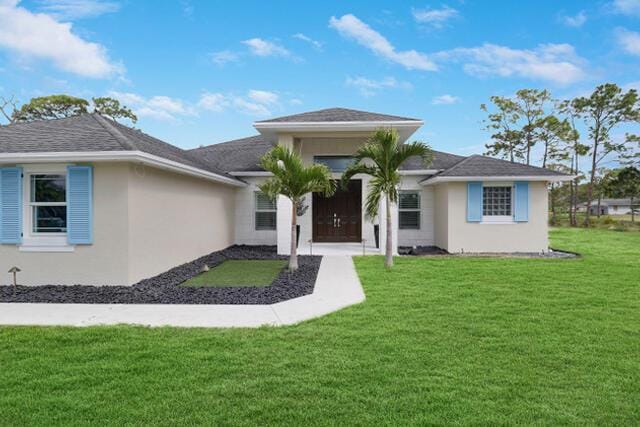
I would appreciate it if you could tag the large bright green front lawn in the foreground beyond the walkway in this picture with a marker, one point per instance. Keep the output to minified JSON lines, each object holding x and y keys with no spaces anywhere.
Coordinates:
{"x":438,"y":341}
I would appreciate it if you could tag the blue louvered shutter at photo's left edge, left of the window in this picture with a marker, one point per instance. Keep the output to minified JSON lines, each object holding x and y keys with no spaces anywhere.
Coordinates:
{"x":11,"y":206}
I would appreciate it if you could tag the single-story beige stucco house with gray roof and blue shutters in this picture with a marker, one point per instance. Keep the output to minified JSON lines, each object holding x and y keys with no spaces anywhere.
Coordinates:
{"x":88,"y":200}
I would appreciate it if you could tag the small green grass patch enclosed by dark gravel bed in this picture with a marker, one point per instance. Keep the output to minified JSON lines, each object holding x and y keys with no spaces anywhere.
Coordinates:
{"x":239,"y":272}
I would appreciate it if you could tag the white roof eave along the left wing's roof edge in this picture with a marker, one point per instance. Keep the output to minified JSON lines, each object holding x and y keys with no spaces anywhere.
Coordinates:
{"x":125,"y":156}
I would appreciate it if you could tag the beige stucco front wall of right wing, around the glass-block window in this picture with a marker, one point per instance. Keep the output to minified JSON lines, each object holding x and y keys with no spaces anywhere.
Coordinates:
{"x":530,"y":236}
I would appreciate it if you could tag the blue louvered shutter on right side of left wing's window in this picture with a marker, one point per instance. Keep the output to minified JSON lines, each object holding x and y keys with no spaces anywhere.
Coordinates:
{"x":79,"y":205}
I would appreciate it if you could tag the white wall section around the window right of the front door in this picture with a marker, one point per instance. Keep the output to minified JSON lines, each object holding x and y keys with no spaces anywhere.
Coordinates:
{"x":425,"y":235}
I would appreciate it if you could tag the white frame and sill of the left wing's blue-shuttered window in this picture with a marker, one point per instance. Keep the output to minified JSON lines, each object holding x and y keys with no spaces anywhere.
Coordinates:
{"x":40,"y":242}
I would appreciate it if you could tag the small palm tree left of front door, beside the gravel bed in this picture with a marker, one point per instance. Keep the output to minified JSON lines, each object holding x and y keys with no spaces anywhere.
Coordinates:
{"x":293,"y":180}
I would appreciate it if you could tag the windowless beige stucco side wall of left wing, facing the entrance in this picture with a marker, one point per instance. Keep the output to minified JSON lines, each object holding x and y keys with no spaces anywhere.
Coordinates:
{"x":174,"y":219}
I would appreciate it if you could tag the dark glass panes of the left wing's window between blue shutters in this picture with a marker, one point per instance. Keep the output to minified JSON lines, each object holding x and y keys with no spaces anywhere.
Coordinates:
{"x":48,"y":204}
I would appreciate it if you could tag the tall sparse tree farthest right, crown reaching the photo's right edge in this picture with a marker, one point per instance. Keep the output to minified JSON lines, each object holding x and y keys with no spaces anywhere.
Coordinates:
{"x":607,"y":107}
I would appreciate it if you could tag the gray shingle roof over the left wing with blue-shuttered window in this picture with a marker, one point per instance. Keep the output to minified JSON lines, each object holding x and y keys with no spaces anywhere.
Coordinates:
{"x":90,"y":132}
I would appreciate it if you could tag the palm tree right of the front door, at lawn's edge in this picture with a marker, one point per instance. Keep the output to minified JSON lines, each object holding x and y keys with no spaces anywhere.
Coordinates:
{"x":381,"y":158}
